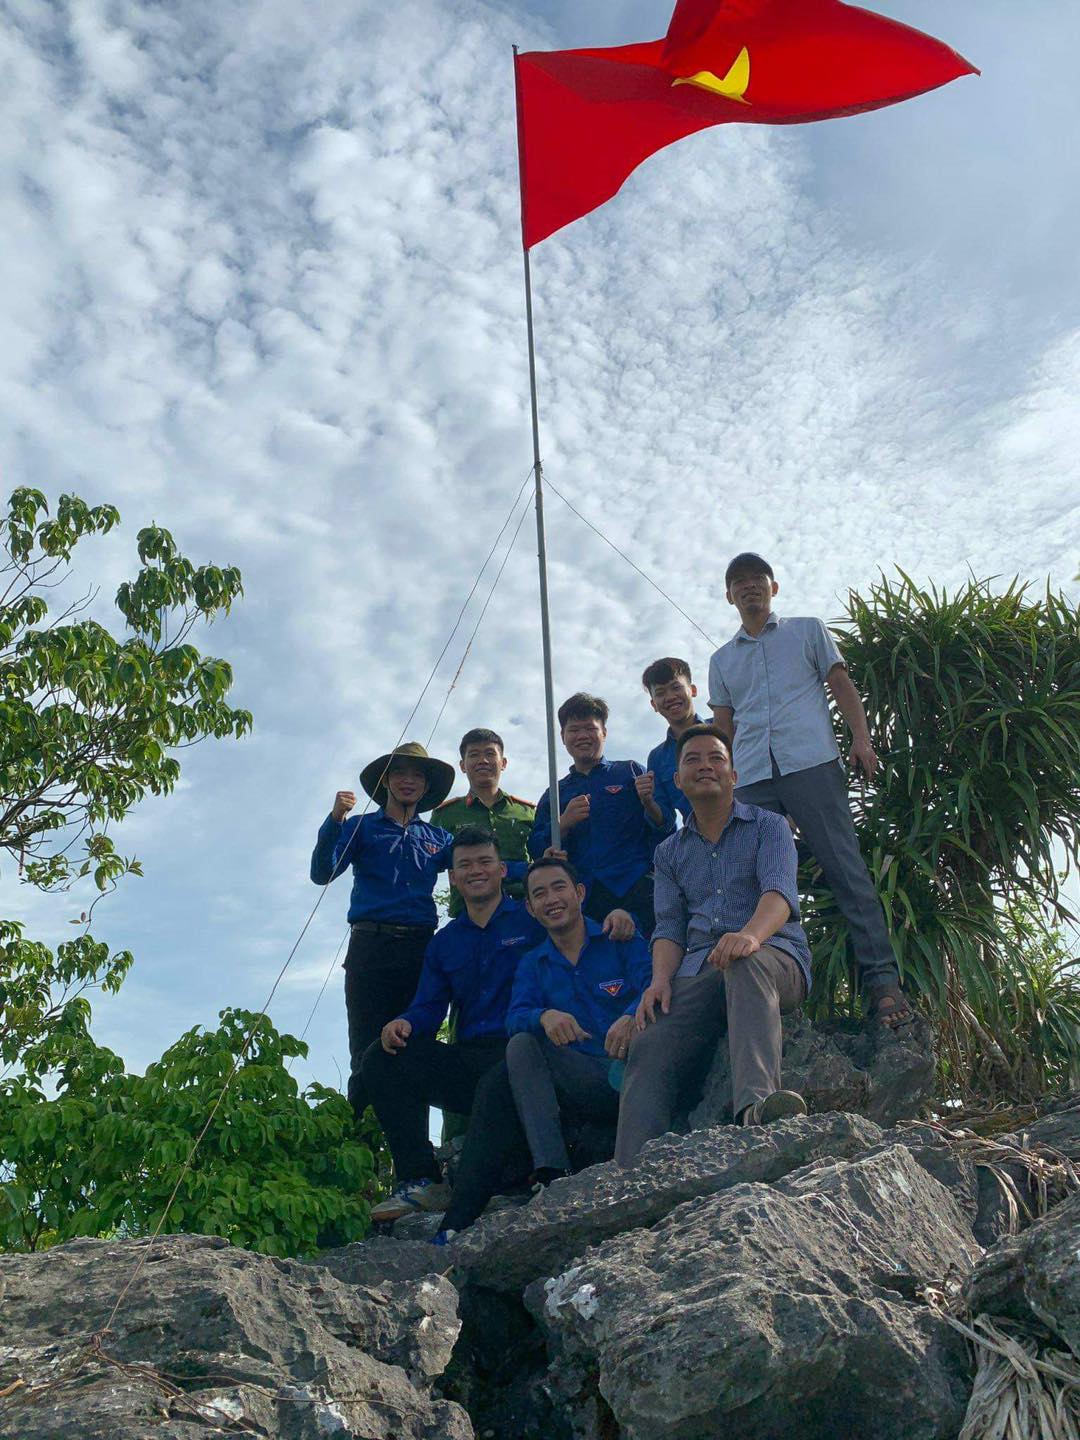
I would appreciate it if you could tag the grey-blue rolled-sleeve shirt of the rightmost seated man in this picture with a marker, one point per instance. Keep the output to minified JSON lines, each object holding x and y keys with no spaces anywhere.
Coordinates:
{"x":705,"y":891}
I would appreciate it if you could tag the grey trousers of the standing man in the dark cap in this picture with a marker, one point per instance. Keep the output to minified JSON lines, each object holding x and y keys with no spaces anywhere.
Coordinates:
{"x":817,"y":800}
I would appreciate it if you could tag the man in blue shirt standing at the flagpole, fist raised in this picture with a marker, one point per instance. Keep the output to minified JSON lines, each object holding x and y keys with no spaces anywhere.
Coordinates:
{"x":610,"y":820}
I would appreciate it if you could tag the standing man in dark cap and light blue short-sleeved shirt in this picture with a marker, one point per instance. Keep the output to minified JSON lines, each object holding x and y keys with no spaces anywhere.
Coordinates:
{"x":768,"y":692}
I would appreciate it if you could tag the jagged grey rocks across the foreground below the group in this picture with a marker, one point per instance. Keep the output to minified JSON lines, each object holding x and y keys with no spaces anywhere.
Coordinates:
{"x":780,"y":1282}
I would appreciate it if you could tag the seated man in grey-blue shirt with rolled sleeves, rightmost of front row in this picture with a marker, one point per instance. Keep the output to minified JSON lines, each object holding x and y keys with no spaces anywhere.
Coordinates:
{"x":728,"y":954}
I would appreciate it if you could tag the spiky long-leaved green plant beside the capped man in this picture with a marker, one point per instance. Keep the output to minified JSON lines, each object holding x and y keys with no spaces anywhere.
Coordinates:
{"x":974,"y":703}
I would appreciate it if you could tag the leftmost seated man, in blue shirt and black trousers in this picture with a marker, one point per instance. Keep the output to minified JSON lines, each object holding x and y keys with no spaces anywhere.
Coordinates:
{"x":472,"y":964}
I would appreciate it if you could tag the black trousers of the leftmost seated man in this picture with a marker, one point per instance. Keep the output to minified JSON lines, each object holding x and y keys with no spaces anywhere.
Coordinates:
{"x":427,"y":1072}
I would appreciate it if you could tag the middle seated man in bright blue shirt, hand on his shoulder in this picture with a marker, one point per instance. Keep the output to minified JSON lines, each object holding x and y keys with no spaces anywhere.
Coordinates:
{"x":571,"y":1017}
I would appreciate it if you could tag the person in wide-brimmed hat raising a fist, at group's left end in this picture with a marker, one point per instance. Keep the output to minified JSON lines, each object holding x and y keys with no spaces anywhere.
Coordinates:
{"x":397,"y":859}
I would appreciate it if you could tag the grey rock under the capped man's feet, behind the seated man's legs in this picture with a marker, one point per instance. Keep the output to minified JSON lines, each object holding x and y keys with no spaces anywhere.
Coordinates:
{"x":886,"y":1076}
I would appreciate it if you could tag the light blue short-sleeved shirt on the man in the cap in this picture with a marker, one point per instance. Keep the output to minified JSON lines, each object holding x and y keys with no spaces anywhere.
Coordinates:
{"x":775,"y":685}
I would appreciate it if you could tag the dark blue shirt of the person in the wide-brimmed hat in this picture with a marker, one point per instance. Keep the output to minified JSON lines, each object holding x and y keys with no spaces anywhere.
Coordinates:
{"x":395,"y":868}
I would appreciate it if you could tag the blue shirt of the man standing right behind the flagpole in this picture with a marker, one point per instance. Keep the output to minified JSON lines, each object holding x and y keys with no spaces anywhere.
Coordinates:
{"x":616,"y":843}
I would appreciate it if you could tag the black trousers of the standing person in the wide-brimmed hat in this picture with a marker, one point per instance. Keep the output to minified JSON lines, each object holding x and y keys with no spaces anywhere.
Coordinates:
{"x":381,"y":981}
